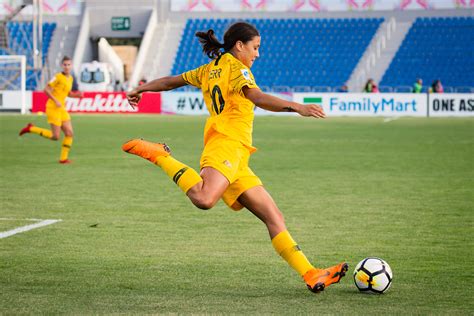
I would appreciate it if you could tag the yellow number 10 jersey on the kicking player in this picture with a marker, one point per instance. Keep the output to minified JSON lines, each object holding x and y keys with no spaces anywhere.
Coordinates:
{"x":221,"y":82}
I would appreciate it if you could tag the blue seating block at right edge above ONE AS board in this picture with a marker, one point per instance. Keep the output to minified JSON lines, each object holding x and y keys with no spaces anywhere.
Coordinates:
{"x":435,"y":48}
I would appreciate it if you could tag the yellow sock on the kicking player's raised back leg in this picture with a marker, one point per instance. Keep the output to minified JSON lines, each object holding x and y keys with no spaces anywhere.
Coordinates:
{"x":181,"y":174}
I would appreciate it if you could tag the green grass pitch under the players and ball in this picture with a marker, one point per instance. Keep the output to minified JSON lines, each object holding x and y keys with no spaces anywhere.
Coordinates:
{"x":130,"y":242}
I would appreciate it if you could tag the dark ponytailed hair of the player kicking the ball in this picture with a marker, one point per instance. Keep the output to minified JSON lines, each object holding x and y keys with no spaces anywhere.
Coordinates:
{"x":239,"y":31}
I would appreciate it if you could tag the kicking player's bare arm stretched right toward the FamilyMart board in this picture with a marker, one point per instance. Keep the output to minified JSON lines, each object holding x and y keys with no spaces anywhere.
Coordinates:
{"x":274,"y":104}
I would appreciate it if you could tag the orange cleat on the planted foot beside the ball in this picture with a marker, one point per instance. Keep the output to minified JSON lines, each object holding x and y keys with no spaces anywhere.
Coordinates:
{"x":319,"y":279}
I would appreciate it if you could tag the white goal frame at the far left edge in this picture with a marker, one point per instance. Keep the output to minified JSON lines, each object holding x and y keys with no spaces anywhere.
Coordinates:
{"x":13,"y":79}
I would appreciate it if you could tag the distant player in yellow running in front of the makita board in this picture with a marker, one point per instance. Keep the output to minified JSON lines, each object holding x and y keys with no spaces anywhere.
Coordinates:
{"x":57,"y":90}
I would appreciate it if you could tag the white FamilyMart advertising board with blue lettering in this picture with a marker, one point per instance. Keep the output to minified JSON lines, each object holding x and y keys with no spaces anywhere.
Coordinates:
{"x":367,"y":104}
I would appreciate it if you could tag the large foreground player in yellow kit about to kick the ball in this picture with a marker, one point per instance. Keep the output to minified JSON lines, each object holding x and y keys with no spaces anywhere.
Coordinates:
{"x":230,"y":92}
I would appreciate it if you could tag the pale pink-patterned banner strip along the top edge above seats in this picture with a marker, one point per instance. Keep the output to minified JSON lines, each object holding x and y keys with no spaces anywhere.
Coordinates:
{"x":314,"y":5}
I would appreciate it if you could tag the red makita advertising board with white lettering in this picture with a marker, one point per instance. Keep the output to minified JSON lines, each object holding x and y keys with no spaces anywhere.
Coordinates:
{"x":102,"y":102}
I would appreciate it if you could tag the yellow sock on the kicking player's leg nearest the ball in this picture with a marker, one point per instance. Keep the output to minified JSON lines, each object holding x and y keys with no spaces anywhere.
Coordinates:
{"x":286,"y":247}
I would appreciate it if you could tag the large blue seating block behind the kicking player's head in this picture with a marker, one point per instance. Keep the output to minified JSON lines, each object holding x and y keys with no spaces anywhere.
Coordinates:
{"x":296,"y":54}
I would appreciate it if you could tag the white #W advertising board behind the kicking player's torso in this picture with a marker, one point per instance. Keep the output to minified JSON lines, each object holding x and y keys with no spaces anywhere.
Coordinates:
{"x":192,"y":103}
